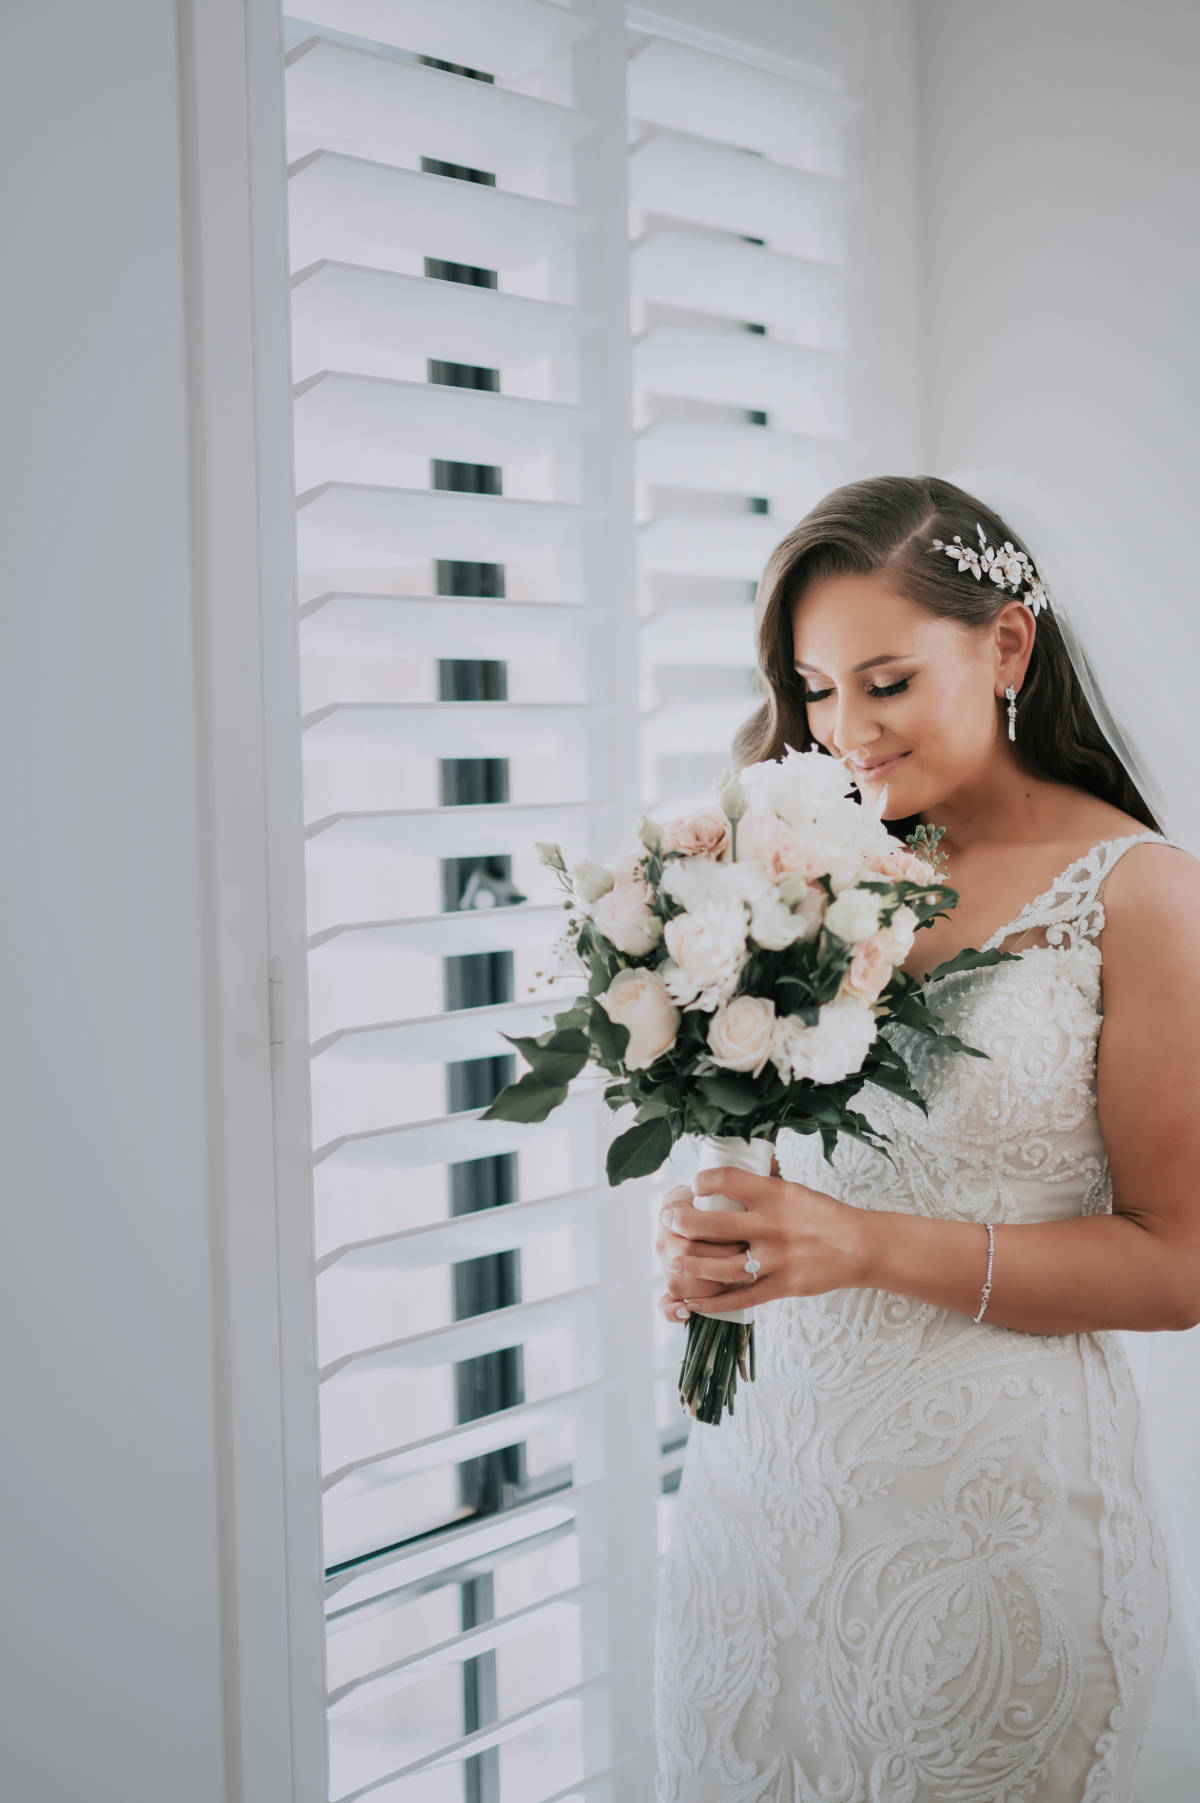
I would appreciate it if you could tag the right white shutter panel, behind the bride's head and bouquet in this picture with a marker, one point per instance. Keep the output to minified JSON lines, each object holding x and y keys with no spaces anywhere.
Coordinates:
{"x":741,"y":288}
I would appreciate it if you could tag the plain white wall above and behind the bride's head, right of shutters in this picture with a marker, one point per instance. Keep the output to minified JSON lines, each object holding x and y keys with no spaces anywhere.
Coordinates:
{"x":1060,"y":143}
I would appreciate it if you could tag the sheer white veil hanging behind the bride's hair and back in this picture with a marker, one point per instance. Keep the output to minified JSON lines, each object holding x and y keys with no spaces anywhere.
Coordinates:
{"x":1091,"y":592}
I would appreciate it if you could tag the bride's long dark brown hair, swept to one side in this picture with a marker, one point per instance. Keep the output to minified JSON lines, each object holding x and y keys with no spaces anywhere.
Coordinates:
{"x":887,"y":526}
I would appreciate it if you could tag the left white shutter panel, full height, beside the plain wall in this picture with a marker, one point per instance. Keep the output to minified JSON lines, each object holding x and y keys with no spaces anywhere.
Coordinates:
{"x":466,"y":553}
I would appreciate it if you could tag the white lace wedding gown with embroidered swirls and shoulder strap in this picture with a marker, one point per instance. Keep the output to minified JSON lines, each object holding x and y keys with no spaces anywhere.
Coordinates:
{"x":920,"y":1562}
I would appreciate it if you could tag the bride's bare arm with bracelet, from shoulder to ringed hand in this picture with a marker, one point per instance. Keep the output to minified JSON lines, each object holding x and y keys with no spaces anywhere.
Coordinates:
{"x":1138,"y":1268}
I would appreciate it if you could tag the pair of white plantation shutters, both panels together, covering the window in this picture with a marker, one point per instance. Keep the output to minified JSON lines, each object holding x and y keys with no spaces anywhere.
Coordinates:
{"x":522,"y":619}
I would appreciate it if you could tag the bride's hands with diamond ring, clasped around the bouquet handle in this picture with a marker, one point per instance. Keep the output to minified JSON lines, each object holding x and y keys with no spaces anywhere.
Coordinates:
{"x":806,"y":1243}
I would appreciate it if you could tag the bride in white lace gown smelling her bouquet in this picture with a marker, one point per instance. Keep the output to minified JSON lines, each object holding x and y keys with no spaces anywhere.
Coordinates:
{"x":922,"y":1560}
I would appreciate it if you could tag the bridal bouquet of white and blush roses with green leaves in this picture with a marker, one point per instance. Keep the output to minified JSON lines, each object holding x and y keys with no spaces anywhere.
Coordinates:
{"x":741,"y":966}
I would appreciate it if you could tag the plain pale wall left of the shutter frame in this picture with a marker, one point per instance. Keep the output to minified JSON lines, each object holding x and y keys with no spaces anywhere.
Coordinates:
{"x":113,"y":1672}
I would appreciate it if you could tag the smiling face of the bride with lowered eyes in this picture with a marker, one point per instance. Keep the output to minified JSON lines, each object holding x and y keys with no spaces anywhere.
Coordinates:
{"x":907,"y":699}
